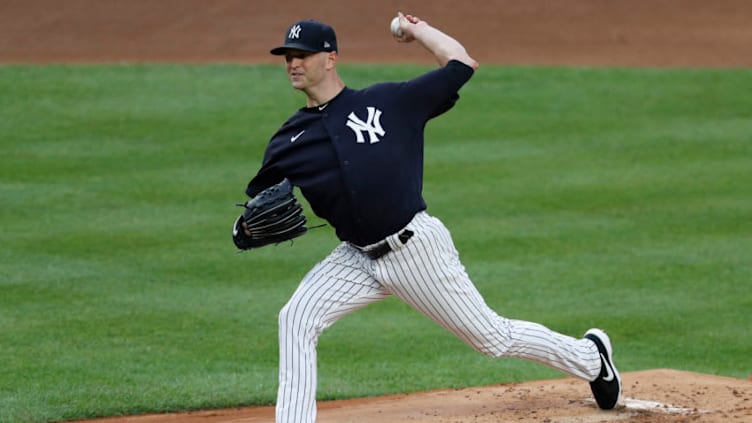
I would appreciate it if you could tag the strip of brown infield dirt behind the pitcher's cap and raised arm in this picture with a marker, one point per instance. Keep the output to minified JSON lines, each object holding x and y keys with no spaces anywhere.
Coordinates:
{"x":683,"y":33}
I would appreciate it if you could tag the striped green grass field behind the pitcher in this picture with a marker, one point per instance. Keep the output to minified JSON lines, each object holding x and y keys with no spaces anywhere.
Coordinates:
{"x":577,"y":198}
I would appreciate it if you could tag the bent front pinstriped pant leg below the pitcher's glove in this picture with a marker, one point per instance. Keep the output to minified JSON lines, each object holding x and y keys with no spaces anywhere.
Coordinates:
{"x":335,"y":287}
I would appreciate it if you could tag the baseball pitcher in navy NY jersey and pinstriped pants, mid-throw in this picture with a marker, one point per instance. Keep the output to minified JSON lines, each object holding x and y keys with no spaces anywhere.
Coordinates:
{"x":357,"y":157}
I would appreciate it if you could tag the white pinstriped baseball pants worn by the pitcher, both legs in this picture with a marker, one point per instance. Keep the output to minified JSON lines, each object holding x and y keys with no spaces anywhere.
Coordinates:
{"x":425,"y":273}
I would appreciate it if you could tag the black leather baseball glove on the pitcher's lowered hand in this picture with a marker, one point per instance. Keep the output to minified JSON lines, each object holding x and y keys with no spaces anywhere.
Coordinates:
{"x":273,"y":216}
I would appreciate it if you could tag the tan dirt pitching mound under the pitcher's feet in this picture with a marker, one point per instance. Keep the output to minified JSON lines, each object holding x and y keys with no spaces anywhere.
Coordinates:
{"x":649,"y":396}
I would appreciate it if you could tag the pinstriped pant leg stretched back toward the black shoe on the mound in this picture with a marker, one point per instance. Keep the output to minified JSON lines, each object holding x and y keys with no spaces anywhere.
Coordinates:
{"x":427,"y":274}
